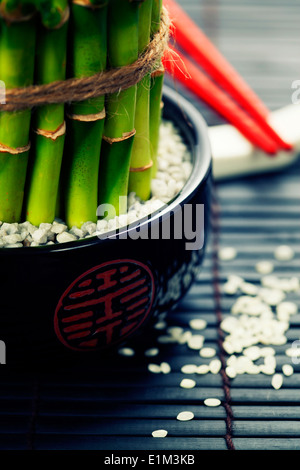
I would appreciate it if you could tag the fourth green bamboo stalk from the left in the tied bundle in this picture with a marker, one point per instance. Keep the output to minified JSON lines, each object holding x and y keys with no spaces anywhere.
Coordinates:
{"x":119,"y":125}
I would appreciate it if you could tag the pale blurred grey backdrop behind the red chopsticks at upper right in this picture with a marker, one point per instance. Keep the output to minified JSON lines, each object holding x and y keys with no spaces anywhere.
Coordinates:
{"x":261,"y":40}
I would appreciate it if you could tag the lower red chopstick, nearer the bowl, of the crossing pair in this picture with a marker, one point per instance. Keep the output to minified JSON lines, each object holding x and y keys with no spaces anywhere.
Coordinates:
{"x":178,"y":65}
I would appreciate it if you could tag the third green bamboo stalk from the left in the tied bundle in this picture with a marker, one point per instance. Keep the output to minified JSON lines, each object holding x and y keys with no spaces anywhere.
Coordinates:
{"x":88,"y":55}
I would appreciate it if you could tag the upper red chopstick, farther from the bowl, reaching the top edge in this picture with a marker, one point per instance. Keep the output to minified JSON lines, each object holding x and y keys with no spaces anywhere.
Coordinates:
{"x":192,"y":40}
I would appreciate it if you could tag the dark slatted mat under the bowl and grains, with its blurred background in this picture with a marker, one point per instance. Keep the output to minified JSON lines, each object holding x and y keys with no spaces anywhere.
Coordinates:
{"x":116,"y":405}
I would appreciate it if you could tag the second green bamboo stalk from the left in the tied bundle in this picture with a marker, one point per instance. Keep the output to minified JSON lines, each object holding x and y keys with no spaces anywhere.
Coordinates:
{"x":46,"y":159}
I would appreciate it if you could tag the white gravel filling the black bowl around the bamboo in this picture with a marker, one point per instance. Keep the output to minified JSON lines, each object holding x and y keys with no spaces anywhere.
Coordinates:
{"x":174,"y":169}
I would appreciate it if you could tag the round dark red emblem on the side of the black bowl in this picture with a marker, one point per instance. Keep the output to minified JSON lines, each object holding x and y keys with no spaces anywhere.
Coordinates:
{"x":104,"y":305}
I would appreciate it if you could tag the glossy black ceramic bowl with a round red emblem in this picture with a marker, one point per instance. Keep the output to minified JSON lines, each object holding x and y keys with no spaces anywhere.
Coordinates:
{"x":63,"y":301}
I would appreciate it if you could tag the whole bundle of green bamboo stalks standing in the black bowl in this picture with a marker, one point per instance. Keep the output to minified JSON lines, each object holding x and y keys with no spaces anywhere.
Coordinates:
{"x":64,"y":160}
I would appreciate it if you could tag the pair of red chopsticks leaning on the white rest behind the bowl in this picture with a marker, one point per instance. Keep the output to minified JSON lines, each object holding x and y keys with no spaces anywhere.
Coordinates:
{"x":247,"y":113}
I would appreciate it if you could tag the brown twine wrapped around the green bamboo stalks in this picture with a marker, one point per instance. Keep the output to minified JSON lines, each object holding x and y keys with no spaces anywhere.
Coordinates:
{"x":108,"y":82}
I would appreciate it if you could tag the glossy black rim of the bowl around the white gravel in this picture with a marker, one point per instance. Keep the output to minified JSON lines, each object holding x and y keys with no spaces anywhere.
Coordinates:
{"x":202,"y":163}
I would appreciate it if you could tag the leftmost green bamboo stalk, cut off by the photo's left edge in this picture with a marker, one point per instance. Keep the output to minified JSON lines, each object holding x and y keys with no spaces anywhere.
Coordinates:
{"x":17,"y":53}
